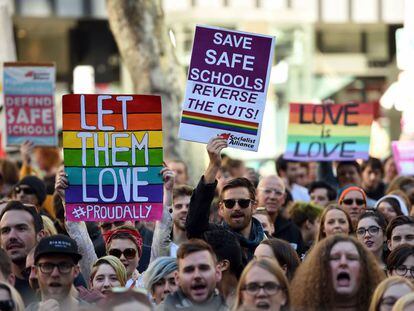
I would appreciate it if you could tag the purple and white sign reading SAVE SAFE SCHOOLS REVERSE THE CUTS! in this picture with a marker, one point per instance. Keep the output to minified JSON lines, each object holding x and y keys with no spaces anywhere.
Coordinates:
{"x":226,"y":87}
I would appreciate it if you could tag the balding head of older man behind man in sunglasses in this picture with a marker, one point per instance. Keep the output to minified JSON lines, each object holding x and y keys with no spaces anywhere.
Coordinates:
{"x":271,"y":194}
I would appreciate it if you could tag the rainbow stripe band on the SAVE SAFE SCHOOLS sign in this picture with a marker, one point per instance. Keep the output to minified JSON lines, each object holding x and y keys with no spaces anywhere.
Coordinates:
{"x":222,"y":123}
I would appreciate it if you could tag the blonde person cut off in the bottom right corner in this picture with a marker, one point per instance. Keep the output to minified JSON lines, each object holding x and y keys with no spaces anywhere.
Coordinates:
{"x":388,"y":292}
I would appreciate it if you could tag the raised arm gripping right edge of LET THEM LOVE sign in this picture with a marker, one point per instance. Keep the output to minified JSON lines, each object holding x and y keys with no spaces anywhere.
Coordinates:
{"x":161,"y":240}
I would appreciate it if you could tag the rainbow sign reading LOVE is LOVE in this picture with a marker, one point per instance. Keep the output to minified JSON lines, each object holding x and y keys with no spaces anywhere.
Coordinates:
{"x":329,"y":132}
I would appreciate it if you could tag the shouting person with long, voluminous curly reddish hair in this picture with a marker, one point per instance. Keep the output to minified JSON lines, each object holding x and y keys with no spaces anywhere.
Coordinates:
{"x":338,"y":273}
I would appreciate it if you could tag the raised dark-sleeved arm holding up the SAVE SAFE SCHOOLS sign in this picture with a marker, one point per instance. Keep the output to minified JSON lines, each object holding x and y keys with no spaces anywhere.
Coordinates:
{"x":198,"y":214}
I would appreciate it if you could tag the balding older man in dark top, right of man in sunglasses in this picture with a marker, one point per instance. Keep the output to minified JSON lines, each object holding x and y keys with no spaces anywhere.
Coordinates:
{"x":271,"y":194}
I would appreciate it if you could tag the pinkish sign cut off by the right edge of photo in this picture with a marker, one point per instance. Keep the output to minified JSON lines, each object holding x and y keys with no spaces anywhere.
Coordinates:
{"x":403,"y":152}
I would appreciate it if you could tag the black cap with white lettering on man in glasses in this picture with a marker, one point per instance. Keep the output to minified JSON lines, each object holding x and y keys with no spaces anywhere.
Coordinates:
{"x":57,"y":244}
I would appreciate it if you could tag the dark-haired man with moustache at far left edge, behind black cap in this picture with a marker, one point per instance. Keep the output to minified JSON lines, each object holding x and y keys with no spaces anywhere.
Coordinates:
{"x":21,"y":227}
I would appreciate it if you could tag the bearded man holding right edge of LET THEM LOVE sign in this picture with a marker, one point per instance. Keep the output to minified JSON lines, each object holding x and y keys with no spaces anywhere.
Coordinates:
{"x":170,"y":231}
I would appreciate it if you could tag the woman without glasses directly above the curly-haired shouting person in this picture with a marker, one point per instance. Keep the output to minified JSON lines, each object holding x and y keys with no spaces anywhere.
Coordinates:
{"x":334,"y":220}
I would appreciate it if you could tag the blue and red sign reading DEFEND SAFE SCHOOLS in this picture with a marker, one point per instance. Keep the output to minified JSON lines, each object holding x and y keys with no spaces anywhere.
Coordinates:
{"x":29,"y":103}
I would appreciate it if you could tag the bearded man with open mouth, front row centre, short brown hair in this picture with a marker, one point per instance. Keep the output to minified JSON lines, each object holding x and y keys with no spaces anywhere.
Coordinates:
{"x":197,"y":278}
